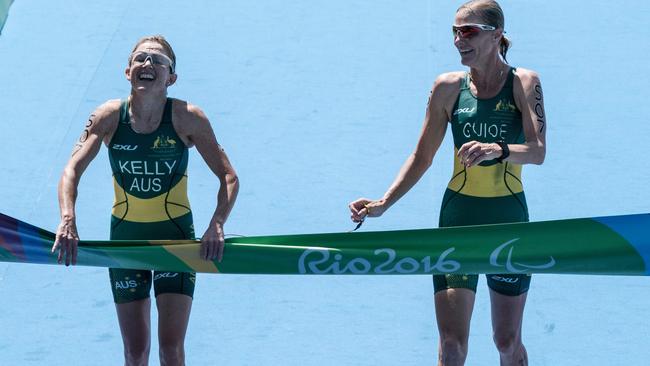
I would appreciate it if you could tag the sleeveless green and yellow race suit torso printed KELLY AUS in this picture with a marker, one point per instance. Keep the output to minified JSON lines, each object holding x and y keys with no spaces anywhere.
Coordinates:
{"x":150,"y":181}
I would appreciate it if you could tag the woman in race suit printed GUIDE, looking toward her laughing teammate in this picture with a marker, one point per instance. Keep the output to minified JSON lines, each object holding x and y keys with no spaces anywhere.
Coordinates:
{"x":496,"y":114}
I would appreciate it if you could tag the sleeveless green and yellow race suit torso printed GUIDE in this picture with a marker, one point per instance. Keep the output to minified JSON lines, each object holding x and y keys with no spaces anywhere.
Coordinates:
{"x":489,"y":192}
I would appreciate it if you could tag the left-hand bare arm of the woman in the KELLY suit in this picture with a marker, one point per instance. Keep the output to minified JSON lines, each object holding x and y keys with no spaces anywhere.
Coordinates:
{"x":83,"y":153}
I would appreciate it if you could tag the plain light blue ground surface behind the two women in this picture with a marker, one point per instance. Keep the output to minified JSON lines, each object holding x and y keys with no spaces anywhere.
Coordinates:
{"x":318,"y":103}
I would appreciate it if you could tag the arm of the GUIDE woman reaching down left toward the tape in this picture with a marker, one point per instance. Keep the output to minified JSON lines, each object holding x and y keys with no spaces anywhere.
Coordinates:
{"x":433,"y":132}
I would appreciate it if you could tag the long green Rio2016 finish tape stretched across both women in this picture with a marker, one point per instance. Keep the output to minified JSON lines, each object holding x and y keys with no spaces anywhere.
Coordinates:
{"x":612,"y":245}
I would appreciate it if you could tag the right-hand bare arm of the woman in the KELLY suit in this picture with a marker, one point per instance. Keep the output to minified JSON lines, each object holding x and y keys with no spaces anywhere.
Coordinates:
{"x":201,"y":135}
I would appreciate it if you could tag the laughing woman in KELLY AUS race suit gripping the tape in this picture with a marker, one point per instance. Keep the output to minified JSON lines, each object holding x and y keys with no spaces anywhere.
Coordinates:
{"x":148,"y":136}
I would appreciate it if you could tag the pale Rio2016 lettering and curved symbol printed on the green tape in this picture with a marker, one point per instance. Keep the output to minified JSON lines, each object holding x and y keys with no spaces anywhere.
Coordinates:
{"x":386,"y":261}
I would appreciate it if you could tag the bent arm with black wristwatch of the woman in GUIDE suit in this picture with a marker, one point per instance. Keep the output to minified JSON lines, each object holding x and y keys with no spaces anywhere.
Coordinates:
{"x":529,"y":99}
